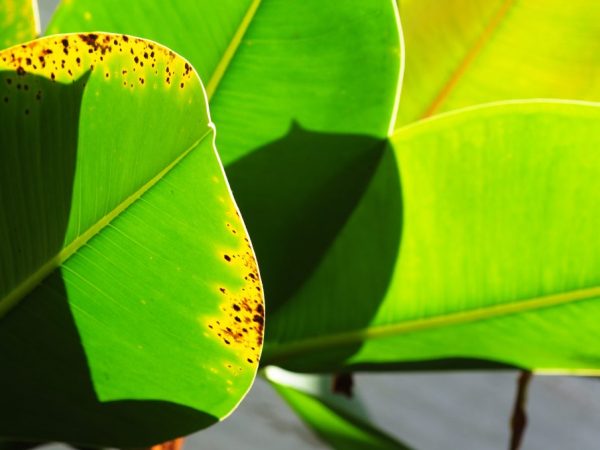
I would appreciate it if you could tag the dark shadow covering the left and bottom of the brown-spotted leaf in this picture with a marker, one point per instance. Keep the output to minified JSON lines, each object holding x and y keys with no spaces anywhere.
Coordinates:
{"x":47,"y":389}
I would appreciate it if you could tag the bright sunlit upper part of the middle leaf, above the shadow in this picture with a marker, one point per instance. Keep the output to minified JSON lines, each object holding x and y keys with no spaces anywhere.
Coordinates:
{"x":270,"y":64}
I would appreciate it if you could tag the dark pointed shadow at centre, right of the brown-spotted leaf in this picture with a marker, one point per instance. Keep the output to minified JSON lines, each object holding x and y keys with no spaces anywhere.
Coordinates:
{"x":325,"y":215}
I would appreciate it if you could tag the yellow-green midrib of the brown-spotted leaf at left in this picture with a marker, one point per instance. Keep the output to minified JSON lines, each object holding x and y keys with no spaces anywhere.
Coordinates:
{"x":26,"y":286}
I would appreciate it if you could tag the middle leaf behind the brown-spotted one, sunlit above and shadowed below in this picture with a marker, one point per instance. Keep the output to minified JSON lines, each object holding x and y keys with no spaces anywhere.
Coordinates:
{"x":302,"y":93}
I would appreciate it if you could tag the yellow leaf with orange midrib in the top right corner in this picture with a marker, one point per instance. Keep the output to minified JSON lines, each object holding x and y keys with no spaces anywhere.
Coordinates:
{"x":462,"y":52}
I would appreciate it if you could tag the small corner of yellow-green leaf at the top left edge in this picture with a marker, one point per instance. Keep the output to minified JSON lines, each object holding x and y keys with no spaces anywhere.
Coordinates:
{"x":19,"y":22}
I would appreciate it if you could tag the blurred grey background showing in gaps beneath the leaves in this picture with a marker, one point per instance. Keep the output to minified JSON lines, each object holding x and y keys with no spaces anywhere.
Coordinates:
{"x":428,"y":411}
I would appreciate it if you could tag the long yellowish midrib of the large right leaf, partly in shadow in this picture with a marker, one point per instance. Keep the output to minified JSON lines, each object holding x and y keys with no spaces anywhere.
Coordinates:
{"x":381,"y":331}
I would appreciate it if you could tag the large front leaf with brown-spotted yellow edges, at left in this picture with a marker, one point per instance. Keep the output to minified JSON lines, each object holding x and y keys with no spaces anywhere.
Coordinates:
{"x":133,"y":308}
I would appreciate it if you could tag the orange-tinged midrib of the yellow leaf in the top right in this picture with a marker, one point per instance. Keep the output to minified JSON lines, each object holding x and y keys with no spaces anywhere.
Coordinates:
{"x":470,"y":56}
